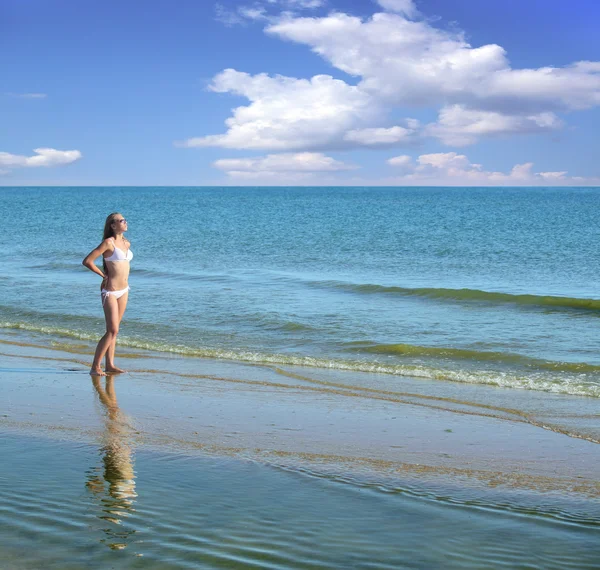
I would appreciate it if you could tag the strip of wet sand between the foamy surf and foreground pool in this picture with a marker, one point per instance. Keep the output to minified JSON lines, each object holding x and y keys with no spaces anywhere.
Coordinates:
{"x":286,"y":416}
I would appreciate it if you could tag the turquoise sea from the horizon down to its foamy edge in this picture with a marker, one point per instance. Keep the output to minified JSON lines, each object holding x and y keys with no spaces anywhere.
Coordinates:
{"x":495,"y":286}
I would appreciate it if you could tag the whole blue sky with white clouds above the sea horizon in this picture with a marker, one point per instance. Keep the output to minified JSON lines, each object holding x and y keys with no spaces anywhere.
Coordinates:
{"x":299,"y":92}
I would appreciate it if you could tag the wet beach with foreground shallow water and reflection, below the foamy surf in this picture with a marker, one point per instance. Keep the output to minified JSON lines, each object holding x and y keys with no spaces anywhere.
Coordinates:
{"x":207,"y":463}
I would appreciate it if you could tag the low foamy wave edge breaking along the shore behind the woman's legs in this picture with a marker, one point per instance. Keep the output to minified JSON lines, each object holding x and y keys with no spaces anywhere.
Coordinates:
{"x":512,"y":370}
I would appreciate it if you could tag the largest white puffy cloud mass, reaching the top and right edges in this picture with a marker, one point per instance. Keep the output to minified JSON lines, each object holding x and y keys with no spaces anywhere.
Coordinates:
{"x":397,"y":60}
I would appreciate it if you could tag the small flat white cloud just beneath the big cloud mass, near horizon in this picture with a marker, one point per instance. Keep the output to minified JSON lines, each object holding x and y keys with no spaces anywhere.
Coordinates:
{"x":284,"y":162}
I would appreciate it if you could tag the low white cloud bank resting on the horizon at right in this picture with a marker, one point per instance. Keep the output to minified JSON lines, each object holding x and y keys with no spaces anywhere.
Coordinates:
{"x":453,"y":169}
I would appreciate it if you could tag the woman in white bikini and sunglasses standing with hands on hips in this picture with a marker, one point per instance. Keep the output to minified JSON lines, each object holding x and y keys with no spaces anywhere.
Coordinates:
{"x":114,"y":290}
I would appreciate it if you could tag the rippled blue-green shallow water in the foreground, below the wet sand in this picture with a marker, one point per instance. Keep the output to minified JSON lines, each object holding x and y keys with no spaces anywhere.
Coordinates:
{"x":66,"y":505}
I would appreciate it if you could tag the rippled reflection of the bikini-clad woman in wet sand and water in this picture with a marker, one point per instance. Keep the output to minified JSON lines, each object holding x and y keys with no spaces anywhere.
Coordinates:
{"x":114,"y":483}
